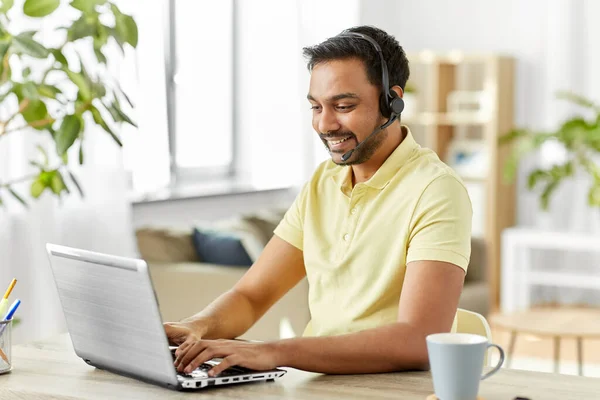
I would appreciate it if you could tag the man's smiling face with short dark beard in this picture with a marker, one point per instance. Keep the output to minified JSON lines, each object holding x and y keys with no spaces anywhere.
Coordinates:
{"x":345,"y":109}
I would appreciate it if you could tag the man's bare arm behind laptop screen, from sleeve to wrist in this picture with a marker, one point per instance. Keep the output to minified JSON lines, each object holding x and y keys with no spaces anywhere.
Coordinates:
{"x":278,"y":269}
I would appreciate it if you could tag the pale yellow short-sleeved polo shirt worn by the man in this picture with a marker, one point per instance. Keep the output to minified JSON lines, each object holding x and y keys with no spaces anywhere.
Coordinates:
{"x":357,"y":241}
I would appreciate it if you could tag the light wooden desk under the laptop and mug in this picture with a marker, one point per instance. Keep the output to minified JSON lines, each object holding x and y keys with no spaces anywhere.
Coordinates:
{"x":51,"y":370}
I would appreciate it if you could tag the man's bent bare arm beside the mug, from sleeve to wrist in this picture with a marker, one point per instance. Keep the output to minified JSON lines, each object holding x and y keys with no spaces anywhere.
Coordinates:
{"x":428,"y":305}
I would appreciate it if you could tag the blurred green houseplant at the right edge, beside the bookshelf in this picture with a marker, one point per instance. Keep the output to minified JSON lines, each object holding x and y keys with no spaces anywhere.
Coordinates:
{"x":579,"y":135}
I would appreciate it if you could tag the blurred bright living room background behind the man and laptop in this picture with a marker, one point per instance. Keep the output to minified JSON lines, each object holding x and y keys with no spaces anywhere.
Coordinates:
{"x":188,"y":133}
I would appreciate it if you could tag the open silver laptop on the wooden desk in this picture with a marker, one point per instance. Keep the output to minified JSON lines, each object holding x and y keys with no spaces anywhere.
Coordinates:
{"x":113,"y":318}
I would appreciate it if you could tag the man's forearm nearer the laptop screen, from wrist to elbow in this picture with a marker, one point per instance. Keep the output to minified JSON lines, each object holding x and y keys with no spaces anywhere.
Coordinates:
{"x":227,"y":317}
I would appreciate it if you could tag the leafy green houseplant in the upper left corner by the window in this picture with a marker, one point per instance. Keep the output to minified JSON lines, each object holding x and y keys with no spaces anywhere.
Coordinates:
{"x":50,"y":89}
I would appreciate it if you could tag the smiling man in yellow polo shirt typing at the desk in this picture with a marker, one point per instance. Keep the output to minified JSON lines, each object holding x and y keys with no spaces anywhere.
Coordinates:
{"x":382,"y":233}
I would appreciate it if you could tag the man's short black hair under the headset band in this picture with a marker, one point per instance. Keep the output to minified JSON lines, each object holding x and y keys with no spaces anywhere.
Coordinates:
{"x":339,"y":48}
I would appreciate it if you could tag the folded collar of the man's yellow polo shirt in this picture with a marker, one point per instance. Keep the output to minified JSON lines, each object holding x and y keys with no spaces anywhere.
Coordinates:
{"x":387,"y":170}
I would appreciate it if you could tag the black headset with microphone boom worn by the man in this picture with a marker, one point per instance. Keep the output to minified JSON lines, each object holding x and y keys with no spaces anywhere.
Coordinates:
{"x":390,"y":104}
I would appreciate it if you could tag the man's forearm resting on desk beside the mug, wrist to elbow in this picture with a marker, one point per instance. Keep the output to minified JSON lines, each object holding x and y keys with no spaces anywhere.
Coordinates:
{"x":389,"y":348}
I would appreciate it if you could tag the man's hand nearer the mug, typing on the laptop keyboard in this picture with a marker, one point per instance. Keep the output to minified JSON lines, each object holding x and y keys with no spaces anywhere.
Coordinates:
{"x":258,"y":356}
